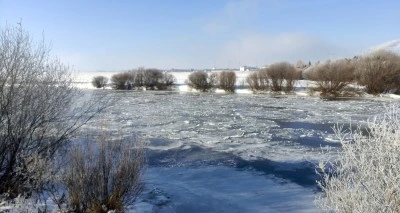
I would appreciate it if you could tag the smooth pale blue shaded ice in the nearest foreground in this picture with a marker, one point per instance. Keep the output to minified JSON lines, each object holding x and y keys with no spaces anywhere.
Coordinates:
{"x":220,"y":189}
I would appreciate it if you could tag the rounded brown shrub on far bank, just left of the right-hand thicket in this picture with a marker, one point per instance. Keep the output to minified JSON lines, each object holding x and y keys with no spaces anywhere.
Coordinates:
{"x":283,"y":75}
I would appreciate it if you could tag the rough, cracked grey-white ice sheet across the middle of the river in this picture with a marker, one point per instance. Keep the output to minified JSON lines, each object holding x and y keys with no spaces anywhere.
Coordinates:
{"x":282,"y":128}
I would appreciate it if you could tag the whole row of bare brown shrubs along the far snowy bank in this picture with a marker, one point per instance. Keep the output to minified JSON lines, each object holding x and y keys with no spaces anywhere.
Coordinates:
{"x":377,"y":72}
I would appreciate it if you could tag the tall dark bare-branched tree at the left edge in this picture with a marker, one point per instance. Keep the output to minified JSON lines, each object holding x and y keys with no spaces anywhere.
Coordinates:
{"x":38,"y":111}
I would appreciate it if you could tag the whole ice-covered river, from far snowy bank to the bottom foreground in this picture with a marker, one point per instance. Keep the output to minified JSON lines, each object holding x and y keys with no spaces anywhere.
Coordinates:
{"x":231,"y":153}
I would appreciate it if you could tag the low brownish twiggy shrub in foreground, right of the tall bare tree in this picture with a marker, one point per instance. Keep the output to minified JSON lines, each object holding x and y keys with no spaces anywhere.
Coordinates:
{"x":104,"y":176}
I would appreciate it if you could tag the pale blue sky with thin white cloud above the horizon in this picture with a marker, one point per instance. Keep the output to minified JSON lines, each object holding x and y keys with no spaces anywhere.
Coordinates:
{"x":105,"y":35}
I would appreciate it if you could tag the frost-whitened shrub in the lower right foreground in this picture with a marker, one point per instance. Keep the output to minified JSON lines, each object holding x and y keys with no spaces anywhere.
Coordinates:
{"x":365,"y":175}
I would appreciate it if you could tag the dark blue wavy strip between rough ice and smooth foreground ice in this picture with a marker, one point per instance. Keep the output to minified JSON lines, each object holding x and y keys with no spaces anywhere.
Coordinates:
{"x":299,"y":172}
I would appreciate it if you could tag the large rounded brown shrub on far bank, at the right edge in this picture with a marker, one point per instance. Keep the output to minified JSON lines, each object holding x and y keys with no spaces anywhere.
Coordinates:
{"x":379,"y":72}
